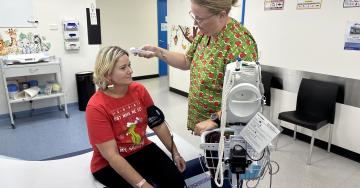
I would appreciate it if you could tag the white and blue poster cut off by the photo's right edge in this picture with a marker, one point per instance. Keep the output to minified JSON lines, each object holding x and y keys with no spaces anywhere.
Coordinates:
{"x":352,"y":36}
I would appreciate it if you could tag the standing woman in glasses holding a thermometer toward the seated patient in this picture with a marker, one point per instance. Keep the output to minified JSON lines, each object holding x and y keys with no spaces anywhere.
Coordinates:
{"x":221,"y":40}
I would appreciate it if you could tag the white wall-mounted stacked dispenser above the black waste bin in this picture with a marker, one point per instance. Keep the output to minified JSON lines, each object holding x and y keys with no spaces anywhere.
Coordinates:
{"x":71,"y":35}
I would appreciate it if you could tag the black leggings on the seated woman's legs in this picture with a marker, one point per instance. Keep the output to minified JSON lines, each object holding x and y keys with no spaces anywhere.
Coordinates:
{"x":153,"y":165}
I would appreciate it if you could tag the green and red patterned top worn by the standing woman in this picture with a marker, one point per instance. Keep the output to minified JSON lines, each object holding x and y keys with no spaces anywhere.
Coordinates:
{"x":208,"y":57}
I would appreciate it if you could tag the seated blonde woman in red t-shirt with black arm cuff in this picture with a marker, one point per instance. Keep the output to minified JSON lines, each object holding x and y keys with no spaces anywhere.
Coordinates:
{"x":117,"y":116}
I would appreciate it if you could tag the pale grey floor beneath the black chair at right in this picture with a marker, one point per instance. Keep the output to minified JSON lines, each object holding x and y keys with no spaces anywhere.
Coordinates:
{"x":327,"y":170}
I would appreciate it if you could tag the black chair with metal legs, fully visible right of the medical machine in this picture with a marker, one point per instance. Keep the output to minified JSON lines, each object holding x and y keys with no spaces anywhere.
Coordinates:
{"x":315,"y":108}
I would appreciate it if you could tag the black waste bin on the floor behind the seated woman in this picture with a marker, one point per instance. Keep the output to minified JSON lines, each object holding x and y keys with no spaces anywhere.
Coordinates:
{"x":85,"y":88}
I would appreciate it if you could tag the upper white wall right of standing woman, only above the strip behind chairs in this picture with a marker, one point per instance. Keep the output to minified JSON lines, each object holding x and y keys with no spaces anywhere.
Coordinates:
{"x":307,"y":40}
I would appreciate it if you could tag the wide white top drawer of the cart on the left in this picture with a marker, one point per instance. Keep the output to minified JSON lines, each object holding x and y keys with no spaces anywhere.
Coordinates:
{"x":31,"y":70}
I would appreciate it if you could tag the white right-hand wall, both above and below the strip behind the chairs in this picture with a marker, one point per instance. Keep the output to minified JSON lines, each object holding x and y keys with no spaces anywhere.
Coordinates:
{"x":313,"y":41}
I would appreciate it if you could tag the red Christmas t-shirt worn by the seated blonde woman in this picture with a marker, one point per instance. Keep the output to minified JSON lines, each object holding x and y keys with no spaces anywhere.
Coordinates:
{"x":123,"y":119}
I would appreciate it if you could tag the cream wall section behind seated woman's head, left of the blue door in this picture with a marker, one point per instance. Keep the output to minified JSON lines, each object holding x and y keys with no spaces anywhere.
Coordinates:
{"x":131,"y":23}
